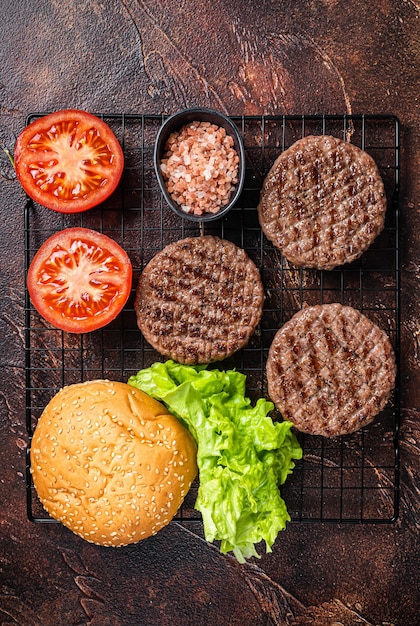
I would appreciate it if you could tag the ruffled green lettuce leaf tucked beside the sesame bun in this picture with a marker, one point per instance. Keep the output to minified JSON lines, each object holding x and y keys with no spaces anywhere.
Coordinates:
{"x":243,"y":456}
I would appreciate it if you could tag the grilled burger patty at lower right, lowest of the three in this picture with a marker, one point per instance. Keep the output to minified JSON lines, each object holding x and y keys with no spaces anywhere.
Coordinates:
{"x":330,"y":370}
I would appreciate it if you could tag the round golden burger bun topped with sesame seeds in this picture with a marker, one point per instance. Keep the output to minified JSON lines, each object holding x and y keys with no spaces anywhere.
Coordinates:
{"x":110,"y":462}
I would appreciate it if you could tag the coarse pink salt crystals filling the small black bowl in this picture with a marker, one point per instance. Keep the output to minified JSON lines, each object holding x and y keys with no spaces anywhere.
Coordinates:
{"x":200,"y":167}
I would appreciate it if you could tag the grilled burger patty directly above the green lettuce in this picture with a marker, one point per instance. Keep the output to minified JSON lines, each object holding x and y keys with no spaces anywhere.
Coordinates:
{"x":199,"y":300}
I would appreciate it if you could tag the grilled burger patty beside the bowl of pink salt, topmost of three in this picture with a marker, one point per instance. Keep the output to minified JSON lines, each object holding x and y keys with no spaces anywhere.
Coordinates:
{"x":322,"y":203}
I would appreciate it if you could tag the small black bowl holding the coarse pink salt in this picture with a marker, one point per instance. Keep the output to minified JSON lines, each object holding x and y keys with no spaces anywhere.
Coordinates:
{"x":174,"y":123}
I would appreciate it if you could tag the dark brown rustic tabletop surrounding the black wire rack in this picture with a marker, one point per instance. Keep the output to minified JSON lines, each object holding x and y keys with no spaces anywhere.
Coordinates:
{"x":241,"y":57}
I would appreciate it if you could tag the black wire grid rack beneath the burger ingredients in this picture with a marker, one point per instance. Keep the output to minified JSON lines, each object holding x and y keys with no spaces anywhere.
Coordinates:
{"x":349,"y":479}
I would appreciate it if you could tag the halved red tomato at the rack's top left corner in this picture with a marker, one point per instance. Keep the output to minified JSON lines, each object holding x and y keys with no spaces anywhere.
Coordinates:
{"x":68,"y":161}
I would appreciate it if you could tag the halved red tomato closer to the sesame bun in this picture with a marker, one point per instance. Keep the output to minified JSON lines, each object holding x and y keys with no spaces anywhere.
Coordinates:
{"x":79,"y":280}
